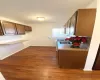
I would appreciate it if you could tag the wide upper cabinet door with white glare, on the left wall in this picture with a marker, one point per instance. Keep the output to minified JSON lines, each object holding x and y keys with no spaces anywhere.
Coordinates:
{"x":8,"y":28}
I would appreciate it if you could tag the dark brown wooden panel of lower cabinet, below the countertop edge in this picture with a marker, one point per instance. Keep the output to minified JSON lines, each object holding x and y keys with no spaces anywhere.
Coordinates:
{"x":71,"y":59}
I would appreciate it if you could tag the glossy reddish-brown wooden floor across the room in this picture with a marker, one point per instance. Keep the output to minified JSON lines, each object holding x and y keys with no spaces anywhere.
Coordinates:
{"x":39,"y":63}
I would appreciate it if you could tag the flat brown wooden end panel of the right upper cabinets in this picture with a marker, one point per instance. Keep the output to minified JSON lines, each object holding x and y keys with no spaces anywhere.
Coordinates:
{"x":85,"y":22}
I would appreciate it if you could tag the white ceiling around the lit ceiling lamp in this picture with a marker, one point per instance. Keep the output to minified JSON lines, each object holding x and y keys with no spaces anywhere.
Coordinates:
{"x":53,"y":10}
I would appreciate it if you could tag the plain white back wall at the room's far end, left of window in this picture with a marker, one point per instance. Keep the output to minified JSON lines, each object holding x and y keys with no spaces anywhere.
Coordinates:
{"x":41,"y":34}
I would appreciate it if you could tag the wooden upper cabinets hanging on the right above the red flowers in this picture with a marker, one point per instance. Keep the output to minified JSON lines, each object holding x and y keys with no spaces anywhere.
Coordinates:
{"x":82,"y":22}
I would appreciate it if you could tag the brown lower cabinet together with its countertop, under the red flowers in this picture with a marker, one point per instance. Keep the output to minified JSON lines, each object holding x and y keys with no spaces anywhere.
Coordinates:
{"x":71,"y":58}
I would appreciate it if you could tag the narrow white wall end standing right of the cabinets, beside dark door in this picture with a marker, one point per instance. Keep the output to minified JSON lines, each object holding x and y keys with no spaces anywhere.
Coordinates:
{"x":95,"y":41}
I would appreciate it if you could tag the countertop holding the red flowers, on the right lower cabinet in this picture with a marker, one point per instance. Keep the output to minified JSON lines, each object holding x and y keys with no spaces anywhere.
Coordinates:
{"x":83,"y":47}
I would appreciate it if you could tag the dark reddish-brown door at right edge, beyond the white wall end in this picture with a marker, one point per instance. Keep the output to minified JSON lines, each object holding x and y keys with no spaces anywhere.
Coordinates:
{"x":96,"y":65}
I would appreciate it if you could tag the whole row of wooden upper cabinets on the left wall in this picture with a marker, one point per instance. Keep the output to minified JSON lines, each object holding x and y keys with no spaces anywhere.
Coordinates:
{"x":10,"y":28}
